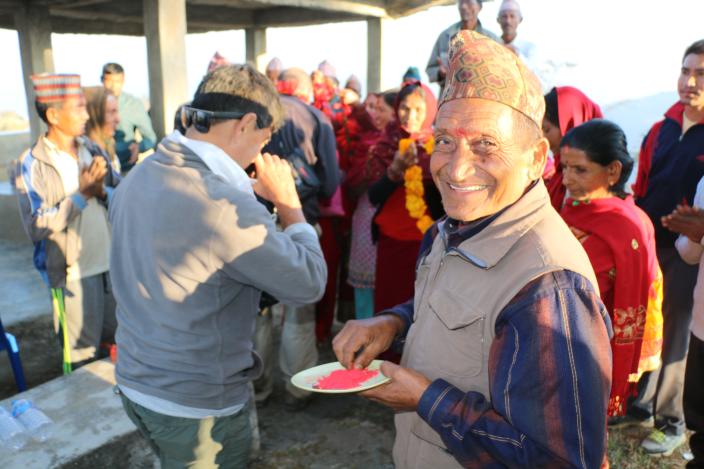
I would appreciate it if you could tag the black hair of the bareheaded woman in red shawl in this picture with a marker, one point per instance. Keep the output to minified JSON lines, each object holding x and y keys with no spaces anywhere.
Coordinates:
{"x":604,"y":142}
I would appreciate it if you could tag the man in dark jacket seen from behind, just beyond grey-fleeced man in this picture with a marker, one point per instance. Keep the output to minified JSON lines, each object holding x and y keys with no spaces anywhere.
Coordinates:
{"x":307,"y":141}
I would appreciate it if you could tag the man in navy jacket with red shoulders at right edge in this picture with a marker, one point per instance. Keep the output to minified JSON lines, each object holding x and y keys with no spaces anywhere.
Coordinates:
{"x":671,"y":164}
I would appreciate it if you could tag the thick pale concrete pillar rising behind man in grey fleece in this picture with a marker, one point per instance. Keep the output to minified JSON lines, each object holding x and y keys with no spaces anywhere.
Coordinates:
{"x":165,"y":30}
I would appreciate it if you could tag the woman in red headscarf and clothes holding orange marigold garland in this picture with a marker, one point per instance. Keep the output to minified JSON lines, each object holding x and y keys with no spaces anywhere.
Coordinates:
{"x":404,"y":194}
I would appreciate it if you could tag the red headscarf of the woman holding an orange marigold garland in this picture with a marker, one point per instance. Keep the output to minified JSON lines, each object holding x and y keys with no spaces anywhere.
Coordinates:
{"x":383,"y":152}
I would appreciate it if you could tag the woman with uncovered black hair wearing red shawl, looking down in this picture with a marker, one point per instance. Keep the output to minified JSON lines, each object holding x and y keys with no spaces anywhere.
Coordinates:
{"x":620,"y":242}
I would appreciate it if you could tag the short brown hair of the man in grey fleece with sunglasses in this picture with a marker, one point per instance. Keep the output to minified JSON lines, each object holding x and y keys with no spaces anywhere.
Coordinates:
{"x":239,"y":88}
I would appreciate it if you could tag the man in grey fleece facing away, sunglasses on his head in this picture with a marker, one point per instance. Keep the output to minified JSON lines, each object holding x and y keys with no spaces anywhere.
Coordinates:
{"x":194,"y":249}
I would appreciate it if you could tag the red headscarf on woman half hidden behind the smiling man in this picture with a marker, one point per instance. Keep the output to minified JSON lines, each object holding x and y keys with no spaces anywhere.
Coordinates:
{"x":573,"y":108}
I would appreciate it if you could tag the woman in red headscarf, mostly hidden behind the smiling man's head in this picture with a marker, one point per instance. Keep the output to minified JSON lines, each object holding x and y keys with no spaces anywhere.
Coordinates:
{"x":565,"y":107}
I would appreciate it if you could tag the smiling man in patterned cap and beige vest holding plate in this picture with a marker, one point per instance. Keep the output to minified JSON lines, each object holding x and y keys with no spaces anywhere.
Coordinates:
{"x":506,"y":359}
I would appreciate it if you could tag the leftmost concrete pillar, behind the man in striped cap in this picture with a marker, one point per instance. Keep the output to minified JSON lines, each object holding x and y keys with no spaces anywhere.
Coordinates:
{"x":34,"y":32}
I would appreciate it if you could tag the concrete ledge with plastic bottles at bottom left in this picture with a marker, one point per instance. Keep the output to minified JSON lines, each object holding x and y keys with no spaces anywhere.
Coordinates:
{"x":87,"y":416}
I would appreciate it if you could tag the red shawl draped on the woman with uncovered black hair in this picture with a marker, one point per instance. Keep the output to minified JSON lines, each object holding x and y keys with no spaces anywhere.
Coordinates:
{"x":630,"y":238}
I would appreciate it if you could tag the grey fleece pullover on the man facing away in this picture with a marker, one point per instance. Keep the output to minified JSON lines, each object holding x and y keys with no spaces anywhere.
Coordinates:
{"x":190,"y":257}
